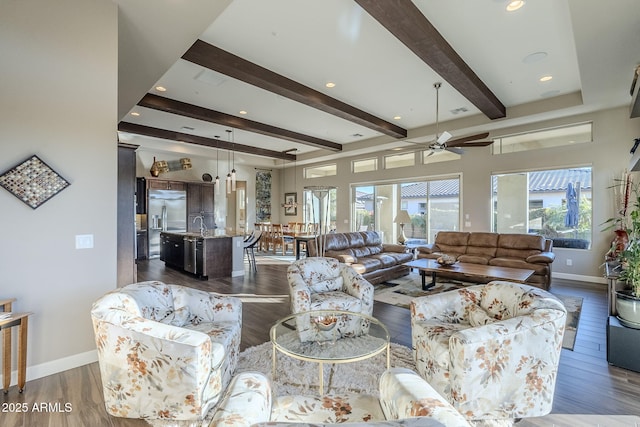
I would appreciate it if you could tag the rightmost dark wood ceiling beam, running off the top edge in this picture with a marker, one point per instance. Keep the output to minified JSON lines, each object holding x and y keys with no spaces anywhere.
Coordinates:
{"x":405,"y":21}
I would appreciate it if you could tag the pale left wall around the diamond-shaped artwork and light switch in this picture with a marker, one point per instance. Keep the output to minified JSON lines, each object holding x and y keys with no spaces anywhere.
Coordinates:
{"x":58,"y":99}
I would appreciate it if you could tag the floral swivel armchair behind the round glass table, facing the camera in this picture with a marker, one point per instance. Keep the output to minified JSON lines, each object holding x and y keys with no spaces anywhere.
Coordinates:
{"x":318,"y":283}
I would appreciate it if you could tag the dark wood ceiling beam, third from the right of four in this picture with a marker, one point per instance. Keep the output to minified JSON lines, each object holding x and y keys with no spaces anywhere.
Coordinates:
{"x":200,"y":113}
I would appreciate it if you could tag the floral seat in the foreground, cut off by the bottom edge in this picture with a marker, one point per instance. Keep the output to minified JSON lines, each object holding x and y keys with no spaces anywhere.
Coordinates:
{"x":406,"y":399}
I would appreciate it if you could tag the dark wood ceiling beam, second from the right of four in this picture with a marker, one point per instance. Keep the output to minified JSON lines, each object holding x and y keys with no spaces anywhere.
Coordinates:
{"x":219,"y":60}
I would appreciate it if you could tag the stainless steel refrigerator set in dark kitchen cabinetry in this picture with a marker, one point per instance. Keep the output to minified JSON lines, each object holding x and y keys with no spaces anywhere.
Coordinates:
{"x":167,"y":211}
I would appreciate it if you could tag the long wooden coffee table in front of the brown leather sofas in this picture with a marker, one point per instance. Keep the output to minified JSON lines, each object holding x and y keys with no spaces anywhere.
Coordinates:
{"x":489,"y":272}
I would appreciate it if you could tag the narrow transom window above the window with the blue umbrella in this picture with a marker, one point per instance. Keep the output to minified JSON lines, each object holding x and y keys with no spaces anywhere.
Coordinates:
{"x":575,"y":134}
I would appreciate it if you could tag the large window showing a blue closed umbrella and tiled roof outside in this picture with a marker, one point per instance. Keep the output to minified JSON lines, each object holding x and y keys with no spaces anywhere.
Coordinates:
{"x":552,"y":203}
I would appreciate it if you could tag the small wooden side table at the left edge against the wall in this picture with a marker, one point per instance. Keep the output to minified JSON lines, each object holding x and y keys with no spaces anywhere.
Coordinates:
{"x":21,"y":320}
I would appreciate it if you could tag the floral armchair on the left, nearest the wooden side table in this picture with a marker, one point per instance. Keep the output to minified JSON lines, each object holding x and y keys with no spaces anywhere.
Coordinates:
{"x":165,"y":351}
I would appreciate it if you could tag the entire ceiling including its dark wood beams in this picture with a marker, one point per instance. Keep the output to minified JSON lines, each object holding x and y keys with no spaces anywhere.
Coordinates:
{"x":272,"y":59}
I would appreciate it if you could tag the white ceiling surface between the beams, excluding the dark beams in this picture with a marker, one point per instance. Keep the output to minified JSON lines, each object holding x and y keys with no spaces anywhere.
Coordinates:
{"x":591,"y":46}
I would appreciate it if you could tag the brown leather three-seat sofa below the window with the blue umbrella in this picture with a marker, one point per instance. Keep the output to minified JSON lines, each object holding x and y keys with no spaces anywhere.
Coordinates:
{"x":505,"y":250}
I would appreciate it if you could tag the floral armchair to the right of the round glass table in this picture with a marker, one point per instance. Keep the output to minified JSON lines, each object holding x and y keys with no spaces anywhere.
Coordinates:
{"x":492,"y":350}
